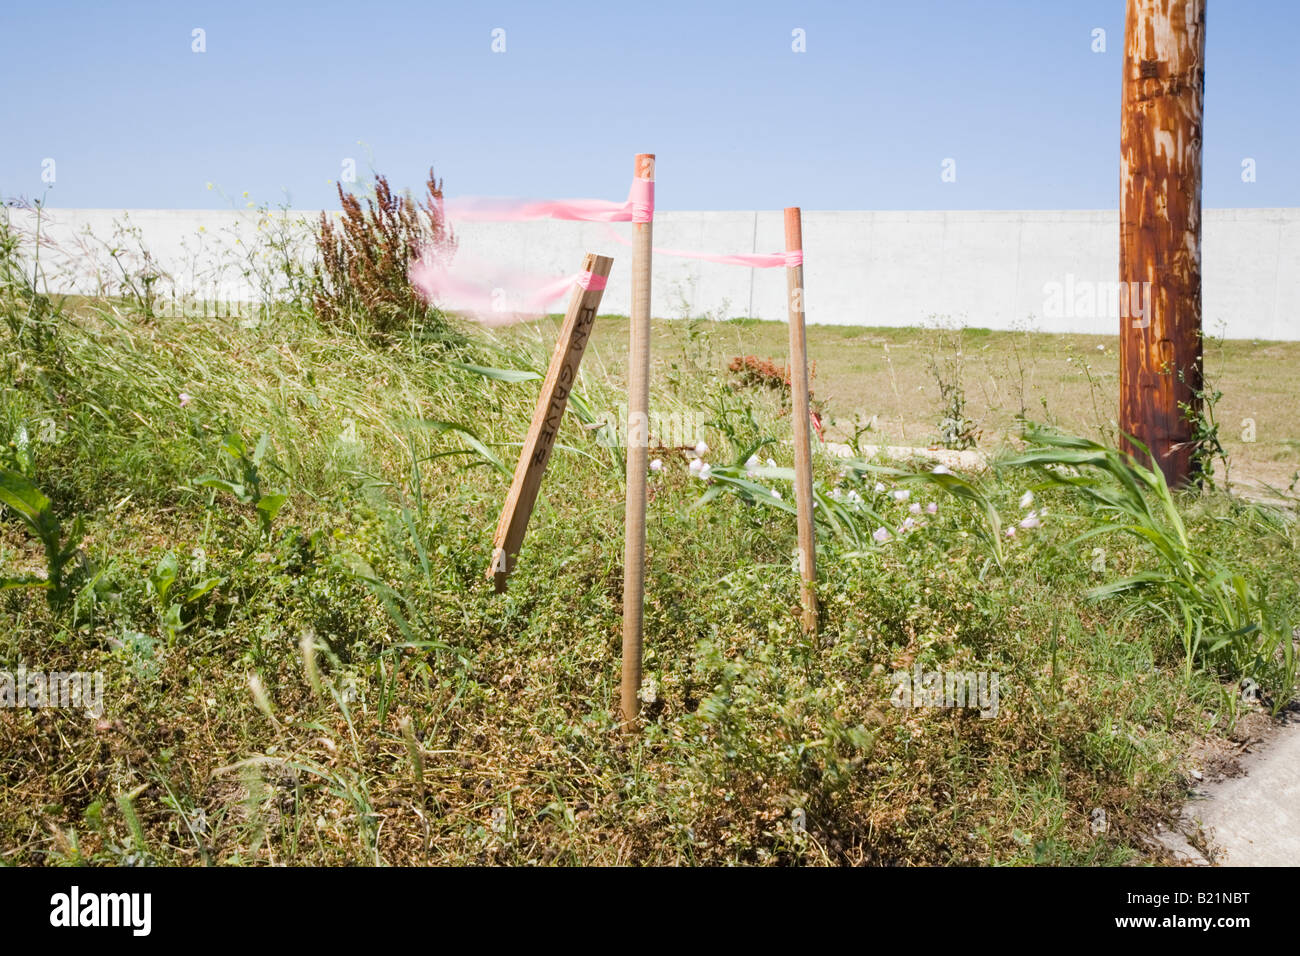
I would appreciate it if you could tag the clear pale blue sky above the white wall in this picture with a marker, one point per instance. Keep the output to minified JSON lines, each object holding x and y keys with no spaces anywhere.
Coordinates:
{"x":863,"y":120}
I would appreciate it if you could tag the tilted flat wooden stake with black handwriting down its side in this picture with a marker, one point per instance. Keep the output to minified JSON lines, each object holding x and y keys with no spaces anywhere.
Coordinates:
{"x":547,"y":419}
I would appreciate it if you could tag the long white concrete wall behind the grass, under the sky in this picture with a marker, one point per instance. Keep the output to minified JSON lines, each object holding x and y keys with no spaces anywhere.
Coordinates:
{"x":990,"y":270}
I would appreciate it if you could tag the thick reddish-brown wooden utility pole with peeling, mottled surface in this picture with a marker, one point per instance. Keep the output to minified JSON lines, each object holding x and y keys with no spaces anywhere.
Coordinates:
{"x":1160,"y":230}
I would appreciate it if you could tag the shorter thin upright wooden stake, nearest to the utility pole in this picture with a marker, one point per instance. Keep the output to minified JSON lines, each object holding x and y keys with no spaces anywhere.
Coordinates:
{"x":801,"y":414}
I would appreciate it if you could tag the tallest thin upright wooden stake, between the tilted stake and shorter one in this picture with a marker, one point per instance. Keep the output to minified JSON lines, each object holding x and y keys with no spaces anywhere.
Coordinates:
{"x":639,"y":442}
